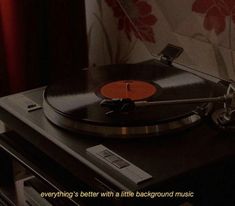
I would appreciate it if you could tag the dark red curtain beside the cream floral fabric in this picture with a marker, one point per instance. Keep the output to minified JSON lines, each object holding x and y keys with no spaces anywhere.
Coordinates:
{"x":40,"y":41}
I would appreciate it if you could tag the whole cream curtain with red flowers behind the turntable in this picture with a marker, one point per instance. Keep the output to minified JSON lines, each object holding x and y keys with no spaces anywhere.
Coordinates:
{"x":204,"y":28}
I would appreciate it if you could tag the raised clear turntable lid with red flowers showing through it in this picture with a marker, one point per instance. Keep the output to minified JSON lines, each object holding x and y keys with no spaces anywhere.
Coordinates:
{"x":204,"y":29}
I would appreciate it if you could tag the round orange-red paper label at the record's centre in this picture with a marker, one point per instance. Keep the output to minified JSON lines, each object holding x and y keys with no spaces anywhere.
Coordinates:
{"x":132,"y":89}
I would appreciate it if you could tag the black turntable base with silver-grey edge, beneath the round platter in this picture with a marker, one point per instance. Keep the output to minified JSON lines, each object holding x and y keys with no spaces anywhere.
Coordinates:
{"x":189,"y":159}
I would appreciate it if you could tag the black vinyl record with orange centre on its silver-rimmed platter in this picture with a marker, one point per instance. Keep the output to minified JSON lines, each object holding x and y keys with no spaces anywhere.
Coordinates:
{"x":74,"y":104}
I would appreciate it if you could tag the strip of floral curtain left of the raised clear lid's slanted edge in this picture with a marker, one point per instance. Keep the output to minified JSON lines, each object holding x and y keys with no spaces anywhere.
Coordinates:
{"x":111,"y":33}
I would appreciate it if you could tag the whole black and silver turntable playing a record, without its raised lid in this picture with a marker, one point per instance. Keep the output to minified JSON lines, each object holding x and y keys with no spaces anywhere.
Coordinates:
{"x":147,"y":127}
